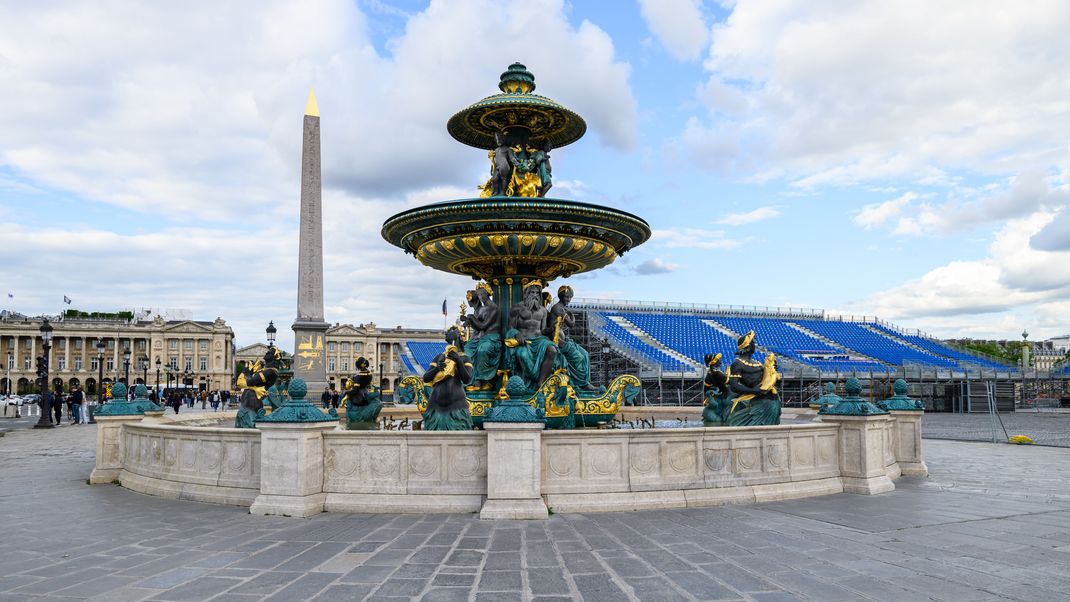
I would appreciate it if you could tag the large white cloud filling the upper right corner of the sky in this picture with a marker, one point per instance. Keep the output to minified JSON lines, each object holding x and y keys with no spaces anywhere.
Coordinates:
{"x":838,"y":95}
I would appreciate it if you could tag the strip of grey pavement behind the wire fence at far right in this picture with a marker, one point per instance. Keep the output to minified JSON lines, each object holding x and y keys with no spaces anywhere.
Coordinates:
{"x":1046,"y":427}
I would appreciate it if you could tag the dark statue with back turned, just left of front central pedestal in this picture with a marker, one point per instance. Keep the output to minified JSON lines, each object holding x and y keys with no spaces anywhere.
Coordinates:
{"x":448,"y":409}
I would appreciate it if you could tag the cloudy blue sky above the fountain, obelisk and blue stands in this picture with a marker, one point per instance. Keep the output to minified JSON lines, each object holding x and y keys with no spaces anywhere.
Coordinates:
{"x":907,"y":160}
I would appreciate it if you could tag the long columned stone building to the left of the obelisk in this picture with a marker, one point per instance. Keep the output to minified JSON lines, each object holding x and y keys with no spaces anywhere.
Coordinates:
{"x":194,"y":353}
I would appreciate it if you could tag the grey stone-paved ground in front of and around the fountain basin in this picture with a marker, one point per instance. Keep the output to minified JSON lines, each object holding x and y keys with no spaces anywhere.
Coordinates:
{"x":993,"y":522}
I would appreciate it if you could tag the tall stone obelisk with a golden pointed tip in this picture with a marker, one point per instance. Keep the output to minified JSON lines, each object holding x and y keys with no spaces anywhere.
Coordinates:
{"x":310,"y":328}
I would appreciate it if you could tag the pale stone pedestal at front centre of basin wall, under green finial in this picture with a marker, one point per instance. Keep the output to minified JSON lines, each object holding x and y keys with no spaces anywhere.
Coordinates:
{"x":514,"y":472}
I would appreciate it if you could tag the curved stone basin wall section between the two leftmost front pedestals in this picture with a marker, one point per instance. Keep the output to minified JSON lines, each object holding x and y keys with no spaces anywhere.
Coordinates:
{"x":219,"y":466}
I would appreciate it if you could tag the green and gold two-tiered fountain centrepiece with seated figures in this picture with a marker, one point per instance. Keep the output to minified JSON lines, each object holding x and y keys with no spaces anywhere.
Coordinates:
{"x":514,"y":240}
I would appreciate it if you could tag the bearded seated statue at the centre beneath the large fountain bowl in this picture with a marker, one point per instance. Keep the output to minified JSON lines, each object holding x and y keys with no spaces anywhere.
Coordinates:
{"x":532,"y":354}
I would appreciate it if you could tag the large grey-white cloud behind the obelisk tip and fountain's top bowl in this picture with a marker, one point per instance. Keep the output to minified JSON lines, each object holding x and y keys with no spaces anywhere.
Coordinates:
{"x":166,"y":111}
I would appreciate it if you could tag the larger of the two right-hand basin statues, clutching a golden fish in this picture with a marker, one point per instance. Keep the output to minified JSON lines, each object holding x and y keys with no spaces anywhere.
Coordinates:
{"x":754,"y":387}
